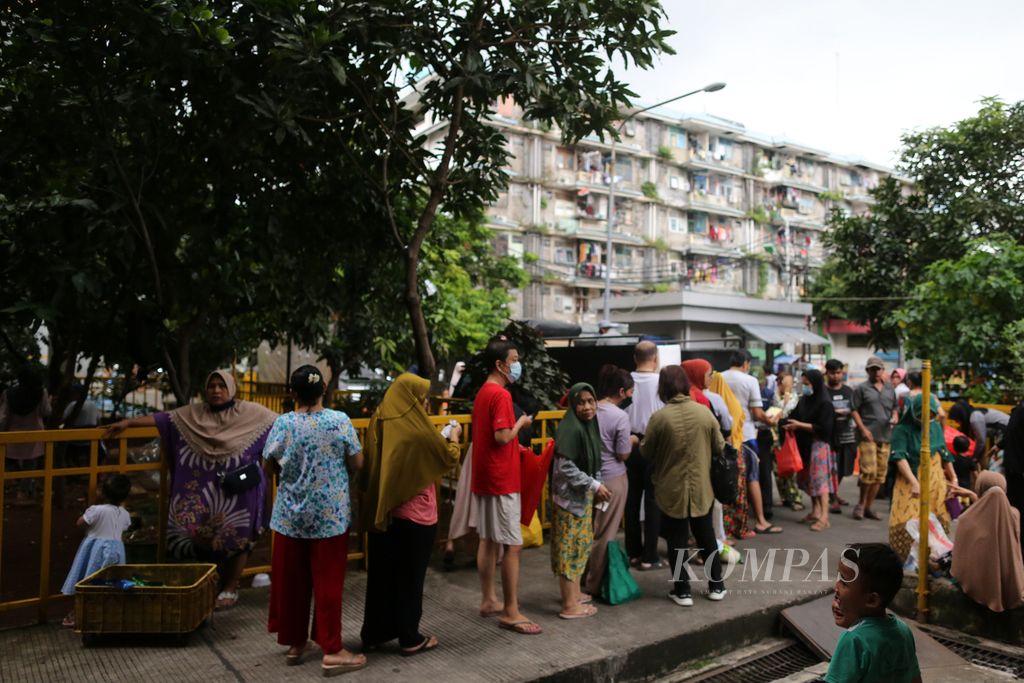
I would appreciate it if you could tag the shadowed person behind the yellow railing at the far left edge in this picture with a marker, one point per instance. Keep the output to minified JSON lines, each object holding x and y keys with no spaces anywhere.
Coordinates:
{"x":25,"y":407}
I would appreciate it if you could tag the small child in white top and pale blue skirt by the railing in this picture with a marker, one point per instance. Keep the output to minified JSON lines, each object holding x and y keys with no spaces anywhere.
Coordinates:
{"x":102,"y":546}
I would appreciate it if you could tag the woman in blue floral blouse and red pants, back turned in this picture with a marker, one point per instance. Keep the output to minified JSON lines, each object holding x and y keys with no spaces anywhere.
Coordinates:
{"x":313,"y":451}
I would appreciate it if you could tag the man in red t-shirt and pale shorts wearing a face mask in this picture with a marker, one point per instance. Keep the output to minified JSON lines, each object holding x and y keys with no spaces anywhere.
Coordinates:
{"x":496,"y":486}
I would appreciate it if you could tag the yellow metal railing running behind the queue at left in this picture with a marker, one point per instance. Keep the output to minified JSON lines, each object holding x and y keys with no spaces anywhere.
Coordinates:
{"x":51,"y":473}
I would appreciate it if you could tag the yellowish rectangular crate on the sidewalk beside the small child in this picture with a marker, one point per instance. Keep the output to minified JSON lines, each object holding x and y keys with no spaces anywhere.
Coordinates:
{"x":180,"y":607}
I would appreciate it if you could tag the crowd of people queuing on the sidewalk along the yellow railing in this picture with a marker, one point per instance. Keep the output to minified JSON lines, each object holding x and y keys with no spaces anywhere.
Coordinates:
{"x":635,"y":451}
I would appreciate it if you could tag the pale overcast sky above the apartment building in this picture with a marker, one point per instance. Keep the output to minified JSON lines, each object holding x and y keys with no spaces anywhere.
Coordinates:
{"x":846,"y":77}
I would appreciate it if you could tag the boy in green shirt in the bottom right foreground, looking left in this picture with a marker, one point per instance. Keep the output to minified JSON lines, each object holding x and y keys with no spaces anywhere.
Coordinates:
{"x":876,"y":647}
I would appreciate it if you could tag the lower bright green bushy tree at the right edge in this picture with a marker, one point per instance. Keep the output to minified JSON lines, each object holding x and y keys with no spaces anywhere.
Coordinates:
{"x":962,"y":312}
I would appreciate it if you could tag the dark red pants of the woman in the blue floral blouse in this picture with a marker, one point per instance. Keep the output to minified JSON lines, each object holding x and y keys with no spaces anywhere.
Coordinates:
{"x":305,"y":569}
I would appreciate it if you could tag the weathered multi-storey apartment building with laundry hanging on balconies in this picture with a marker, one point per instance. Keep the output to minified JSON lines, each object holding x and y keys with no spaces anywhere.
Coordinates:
{"x":708,"y":217}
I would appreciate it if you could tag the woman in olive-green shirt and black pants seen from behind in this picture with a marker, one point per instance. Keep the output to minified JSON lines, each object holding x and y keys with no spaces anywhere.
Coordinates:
{"x":679,"y":444}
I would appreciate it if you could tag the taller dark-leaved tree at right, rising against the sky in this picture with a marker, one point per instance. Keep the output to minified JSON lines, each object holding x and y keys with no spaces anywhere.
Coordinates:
{"x":967,"y":182}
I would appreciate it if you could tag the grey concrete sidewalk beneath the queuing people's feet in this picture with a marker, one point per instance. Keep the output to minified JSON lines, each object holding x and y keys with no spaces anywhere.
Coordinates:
{"x":645,"y":638}
